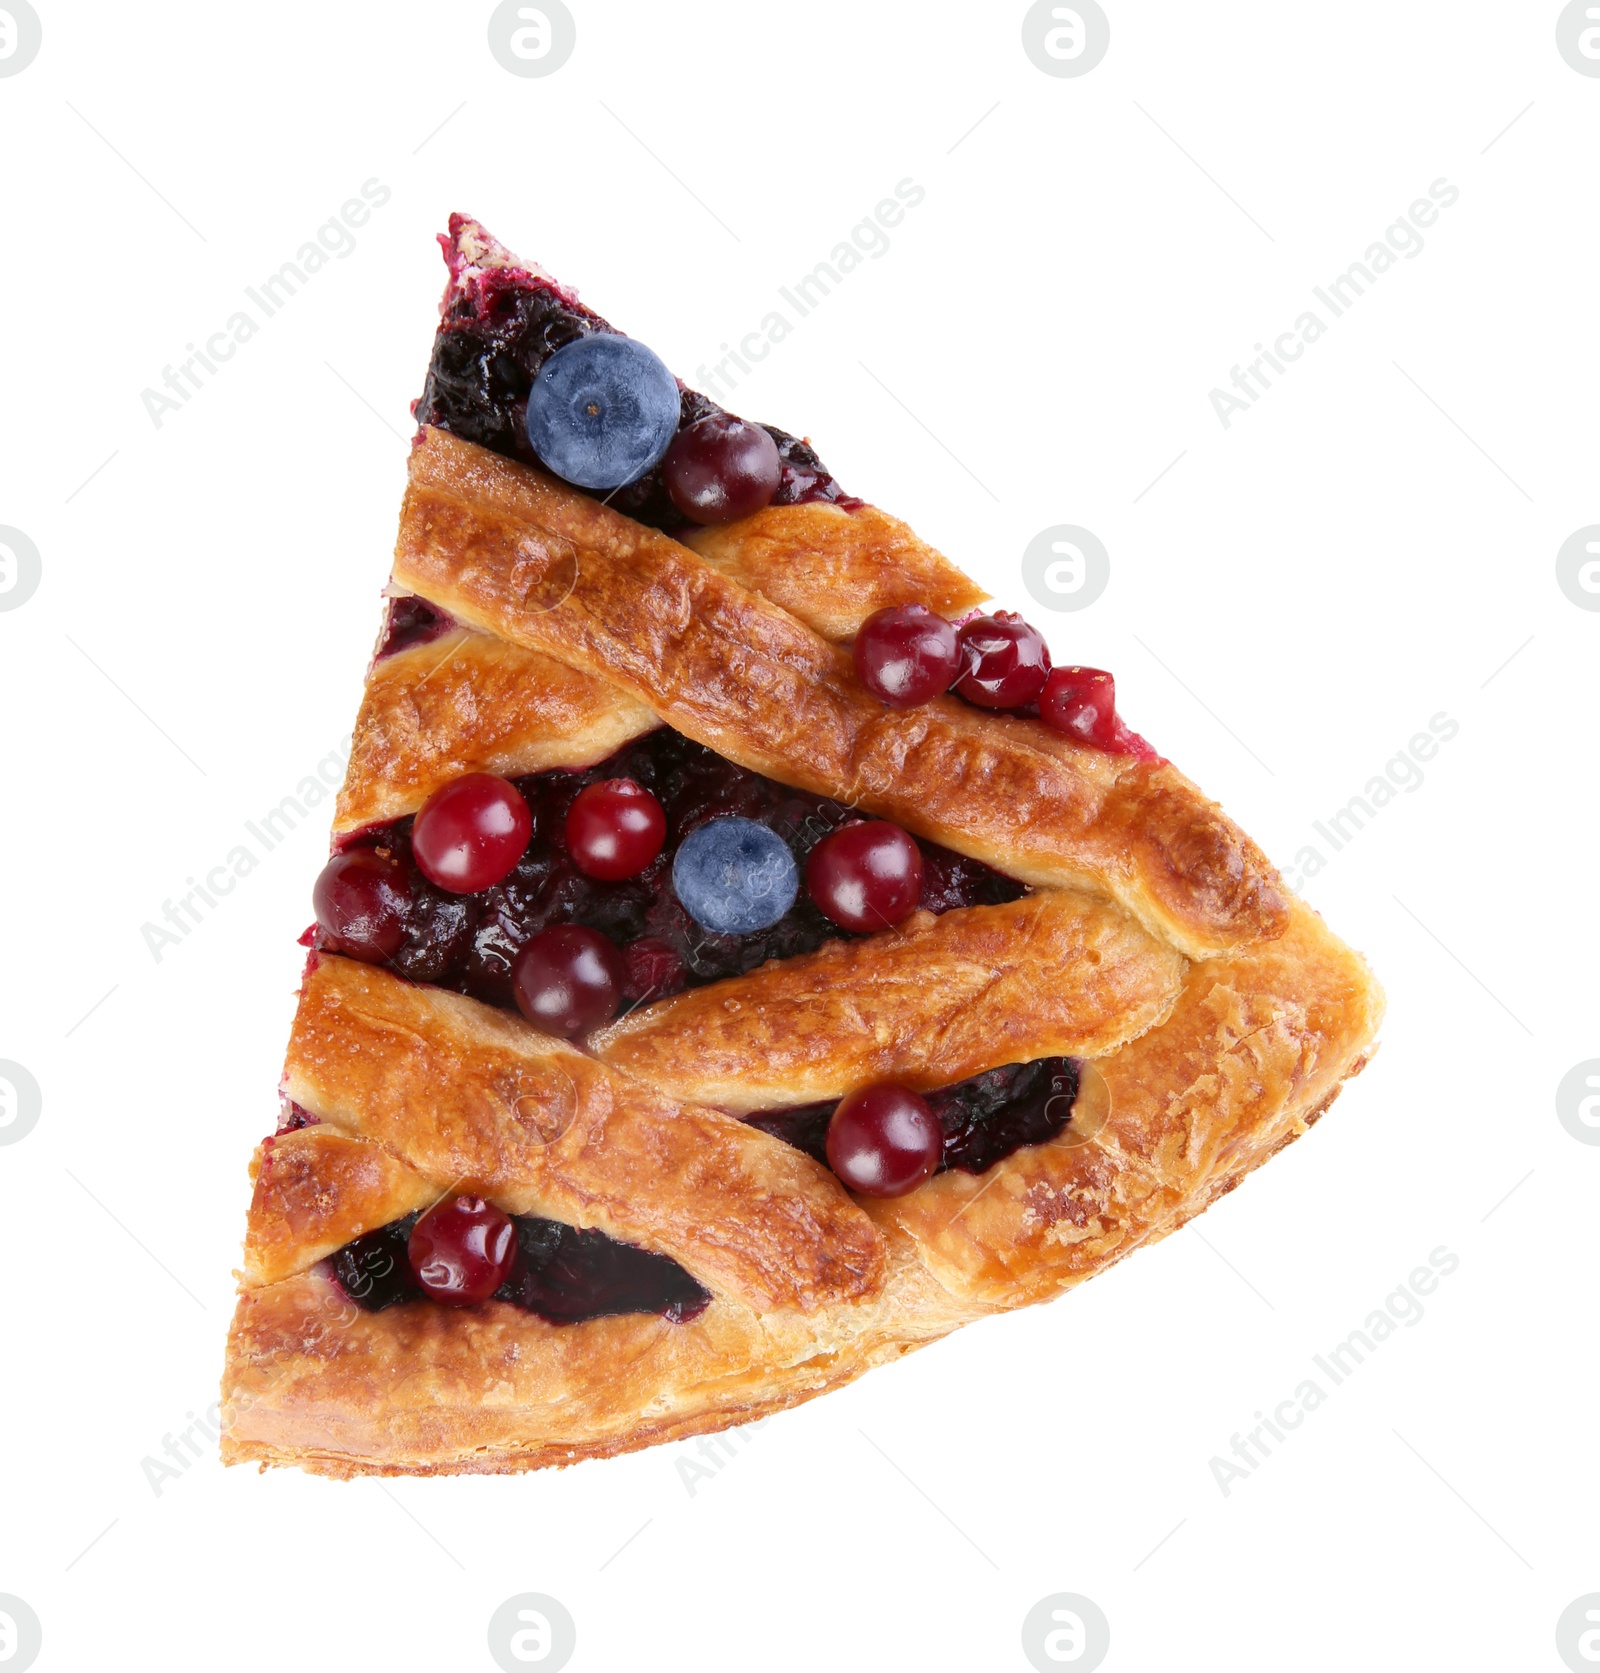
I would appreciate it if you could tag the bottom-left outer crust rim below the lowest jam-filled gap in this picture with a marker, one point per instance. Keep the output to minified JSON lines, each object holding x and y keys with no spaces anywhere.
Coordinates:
{"x":421,"y":1389}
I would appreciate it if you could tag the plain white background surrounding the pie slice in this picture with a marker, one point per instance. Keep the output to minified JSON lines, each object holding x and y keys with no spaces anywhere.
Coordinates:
{"x":1290,"y":603}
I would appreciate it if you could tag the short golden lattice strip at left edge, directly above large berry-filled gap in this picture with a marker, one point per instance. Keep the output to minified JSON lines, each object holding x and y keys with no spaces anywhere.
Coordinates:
{"x":471,"y":703}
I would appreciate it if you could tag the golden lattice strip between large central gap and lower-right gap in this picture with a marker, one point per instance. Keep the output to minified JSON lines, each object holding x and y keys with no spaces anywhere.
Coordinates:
{"x":930,"y":1005}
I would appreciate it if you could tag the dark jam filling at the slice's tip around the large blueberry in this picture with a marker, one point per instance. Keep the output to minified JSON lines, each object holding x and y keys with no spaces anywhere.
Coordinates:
{"x":490,"y":349}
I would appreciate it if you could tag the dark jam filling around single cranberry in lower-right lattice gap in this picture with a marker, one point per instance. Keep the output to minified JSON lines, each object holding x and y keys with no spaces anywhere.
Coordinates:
{"x":983,"y":1118}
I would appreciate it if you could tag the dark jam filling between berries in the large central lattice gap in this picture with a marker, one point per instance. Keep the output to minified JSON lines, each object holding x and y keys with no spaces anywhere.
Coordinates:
{"x":469,"y":943}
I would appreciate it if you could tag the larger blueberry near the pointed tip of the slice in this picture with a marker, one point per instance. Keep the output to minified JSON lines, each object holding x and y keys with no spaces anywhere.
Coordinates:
{"x":603,"y":411}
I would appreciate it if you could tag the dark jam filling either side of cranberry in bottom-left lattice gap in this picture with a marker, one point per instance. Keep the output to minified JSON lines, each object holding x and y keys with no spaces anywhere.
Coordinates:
{"x":562,"y":1274}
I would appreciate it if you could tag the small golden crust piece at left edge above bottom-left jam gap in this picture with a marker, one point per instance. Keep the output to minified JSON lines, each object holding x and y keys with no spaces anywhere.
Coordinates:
{"x":315,"y":1192}
